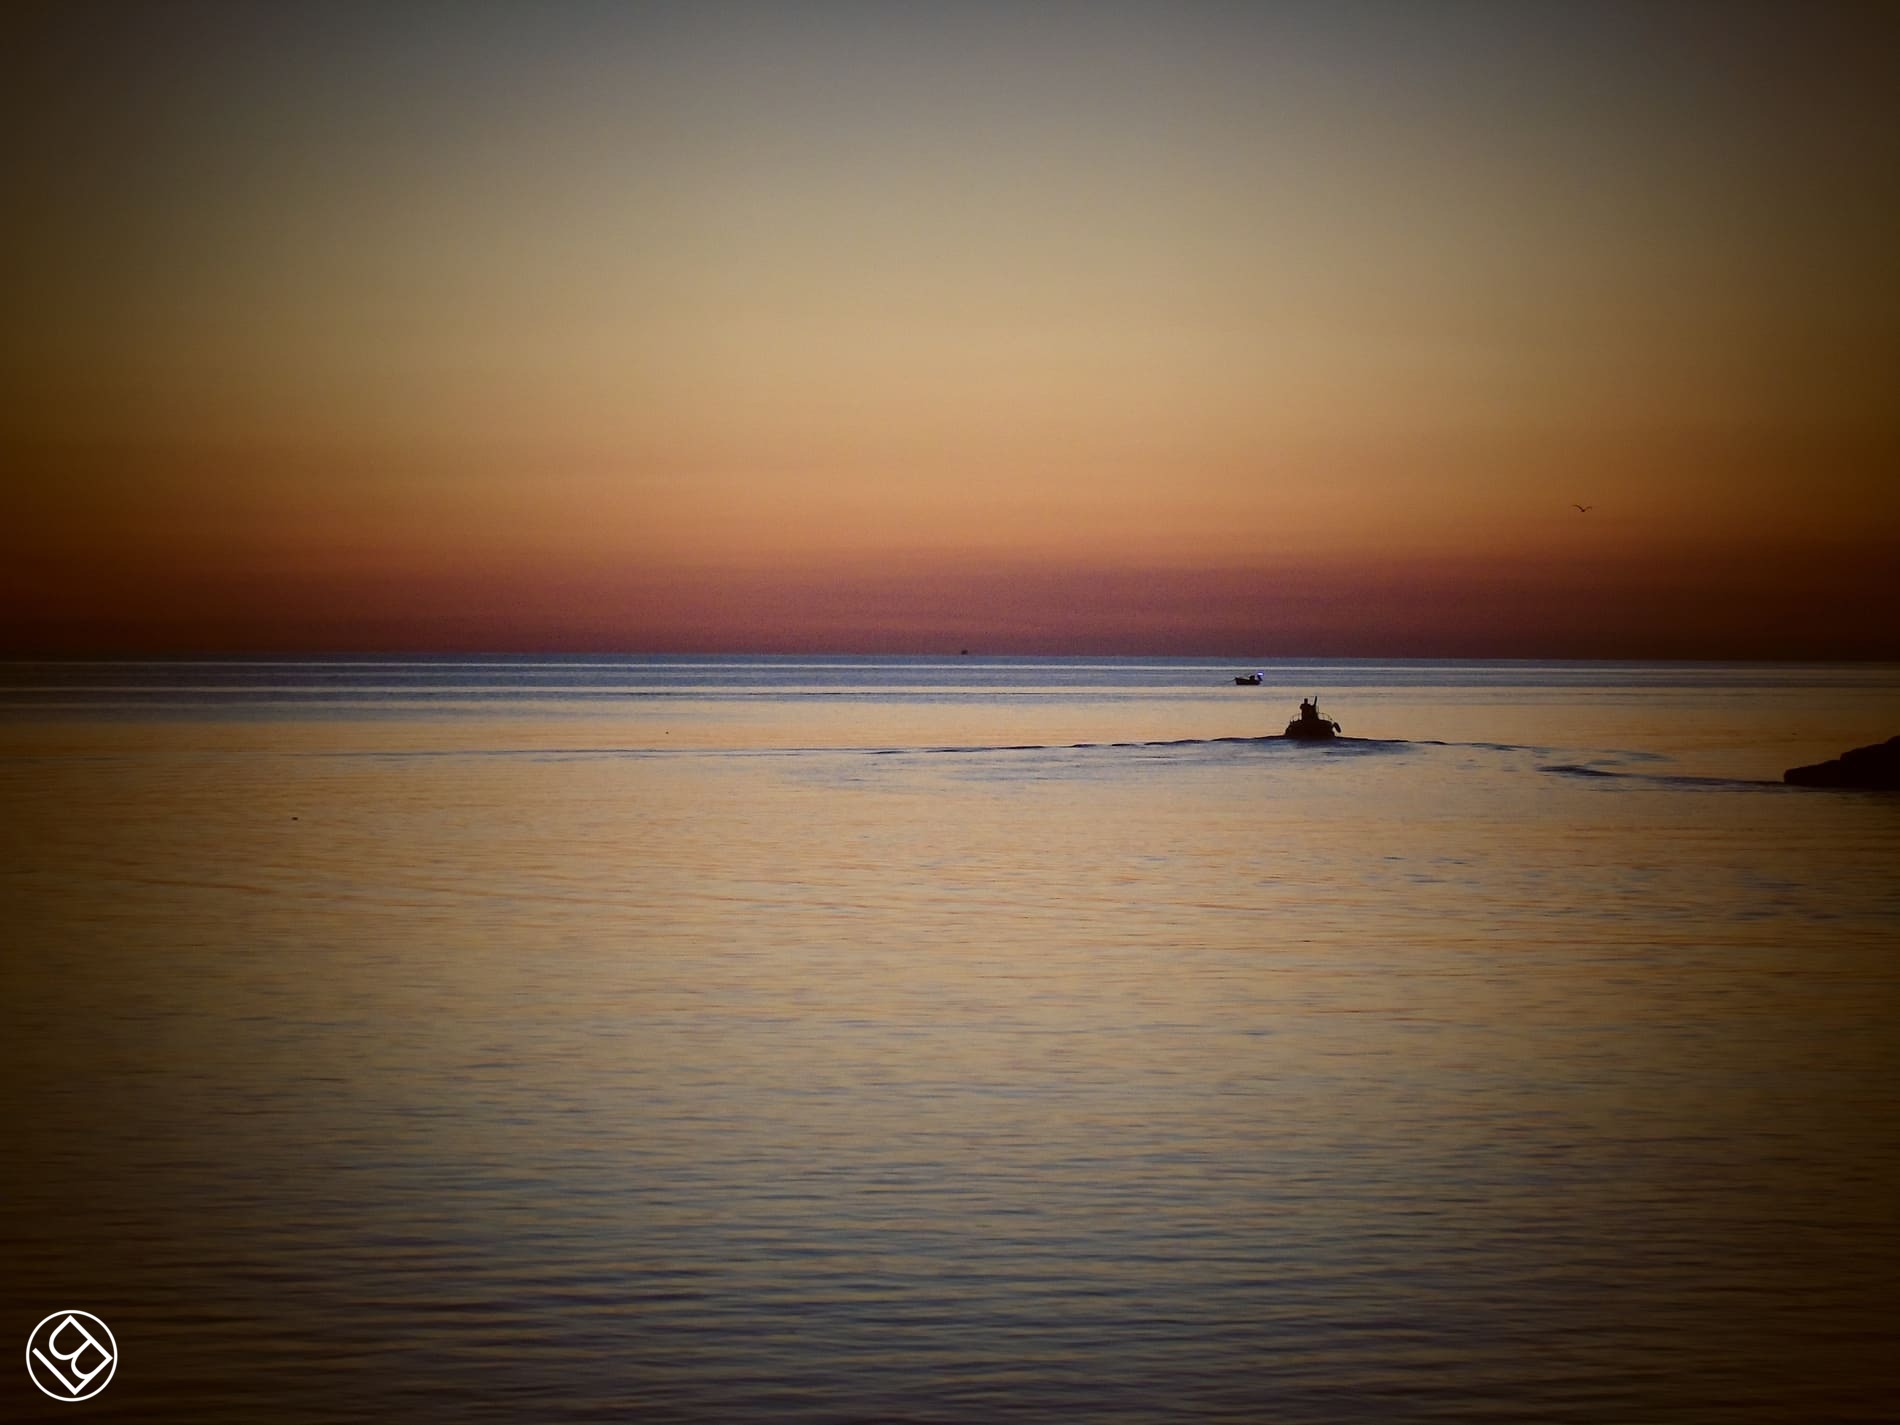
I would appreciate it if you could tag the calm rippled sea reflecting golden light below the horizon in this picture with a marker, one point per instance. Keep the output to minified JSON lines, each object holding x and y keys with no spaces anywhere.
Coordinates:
{"x":951,"y":1040}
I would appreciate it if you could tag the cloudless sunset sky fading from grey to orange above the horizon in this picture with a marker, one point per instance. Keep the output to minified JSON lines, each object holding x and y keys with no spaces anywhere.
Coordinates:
{"x":902,"y":328}
